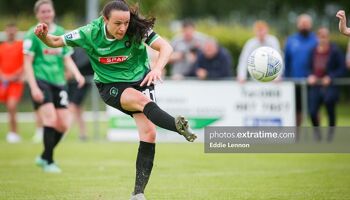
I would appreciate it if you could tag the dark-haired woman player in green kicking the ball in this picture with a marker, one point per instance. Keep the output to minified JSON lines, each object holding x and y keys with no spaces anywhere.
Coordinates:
{"x":115,"y":43}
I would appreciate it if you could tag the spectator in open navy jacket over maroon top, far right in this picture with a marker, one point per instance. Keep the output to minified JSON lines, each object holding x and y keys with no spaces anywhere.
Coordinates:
{"x":327,"y":63}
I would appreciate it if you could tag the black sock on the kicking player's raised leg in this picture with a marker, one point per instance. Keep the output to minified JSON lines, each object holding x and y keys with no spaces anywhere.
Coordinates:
{"x":159,"y":117}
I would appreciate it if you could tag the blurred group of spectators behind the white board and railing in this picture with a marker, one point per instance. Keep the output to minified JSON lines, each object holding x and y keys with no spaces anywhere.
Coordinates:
{"x":308,"y":55}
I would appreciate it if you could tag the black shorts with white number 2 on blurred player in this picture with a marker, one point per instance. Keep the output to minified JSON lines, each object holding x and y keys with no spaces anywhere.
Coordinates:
{"x":56,"y":94}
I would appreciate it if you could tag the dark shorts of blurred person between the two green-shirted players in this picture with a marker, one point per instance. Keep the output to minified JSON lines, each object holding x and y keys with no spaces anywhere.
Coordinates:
{"x":77,"y":95}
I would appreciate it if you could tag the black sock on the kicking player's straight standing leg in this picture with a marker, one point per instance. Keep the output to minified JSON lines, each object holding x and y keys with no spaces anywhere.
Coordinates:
{"x":144,"y":165}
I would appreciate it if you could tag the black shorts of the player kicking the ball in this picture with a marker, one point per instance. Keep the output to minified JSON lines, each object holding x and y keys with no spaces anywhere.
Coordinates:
{"x":111,"y":93}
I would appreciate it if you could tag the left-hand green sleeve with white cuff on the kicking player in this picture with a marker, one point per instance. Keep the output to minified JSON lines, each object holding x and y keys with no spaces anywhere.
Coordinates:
{"x":79,"y":37}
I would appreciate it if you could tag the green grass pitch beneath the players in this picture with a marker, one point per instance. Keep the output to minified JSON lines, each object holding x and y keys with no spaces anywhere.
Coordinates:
{"x":106,"y":171}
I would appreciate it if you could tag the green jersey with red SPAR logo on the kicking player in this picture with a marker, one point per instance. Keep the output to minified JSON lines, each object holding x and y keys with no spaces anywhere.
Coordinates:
{"x":113,"y":60}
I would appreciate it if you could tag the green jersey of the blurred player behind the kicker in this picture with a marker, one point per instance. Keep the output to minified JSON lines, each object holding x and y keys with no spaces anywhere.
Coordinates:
{"x":48,"y":63}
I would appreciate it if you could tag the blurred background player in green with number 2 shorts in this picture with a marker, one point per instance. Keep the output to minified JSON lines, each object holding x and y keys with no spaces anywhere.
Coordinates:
{"x":44,"y":68}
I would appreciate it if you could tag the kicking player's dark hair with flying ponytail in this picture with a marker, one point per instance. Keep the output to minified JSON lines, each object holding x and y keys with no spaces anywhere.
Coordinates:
{"x":138,"y":25}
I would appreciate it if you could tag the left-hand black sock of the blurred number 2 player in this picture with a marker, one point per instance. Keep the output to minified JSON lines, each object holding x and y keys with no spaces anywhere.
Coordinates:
{"x":49,"y":144}
